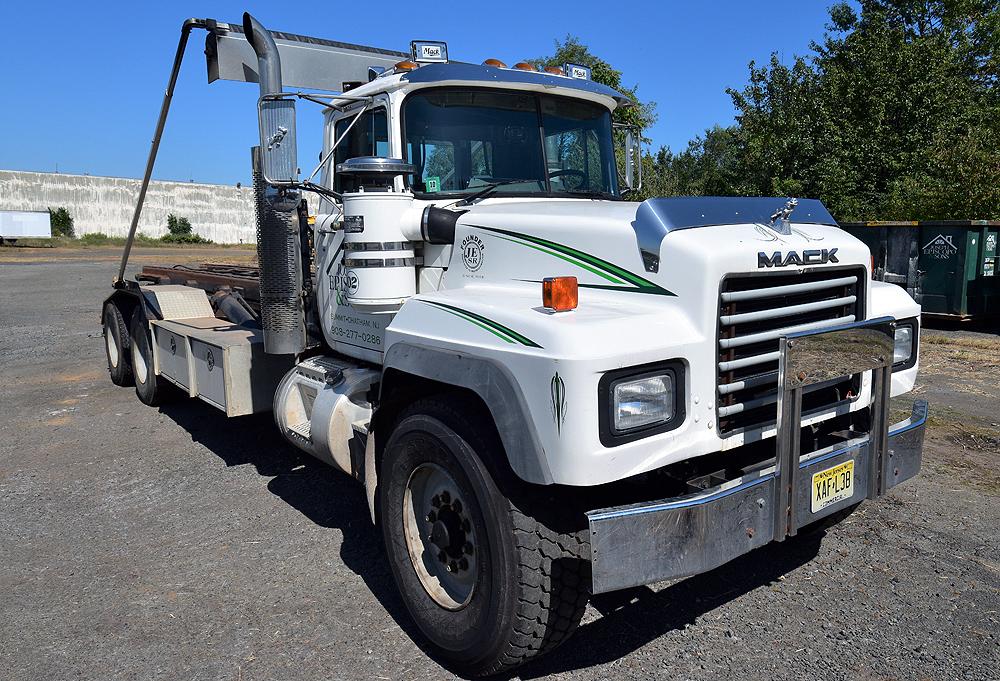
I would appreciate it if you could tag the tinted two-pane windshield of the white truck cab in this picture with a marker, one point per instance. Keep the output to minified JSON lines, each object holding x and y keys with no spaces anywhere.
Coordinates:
{"x":463,"y":139}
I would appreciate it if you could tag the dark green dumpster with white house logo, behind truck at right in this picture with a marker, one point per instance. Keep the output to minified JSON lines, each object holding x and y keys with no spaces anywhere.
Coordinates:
{"x":950,"y":267}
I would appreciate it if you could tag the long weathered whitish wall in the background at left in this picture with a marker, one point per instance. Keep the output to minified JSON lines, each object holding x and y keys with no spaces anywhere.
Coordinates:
{"x":222,"y":213}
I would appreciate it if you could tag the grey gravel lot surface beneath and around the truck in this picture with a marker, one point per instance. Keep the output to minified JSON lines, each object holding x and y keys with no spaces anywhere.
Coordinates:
{"x":173,"y":544}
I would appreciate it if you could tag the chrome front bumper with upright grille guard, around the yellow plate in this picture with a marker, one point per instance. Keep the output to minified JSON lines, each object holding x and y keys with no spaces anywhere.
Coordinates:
{"x":672,"y":538}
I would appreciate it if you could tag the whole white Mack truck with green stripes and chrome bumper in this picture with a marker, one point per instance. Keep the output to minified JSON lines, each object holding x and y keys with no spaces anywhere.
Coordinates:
{"x":548,"y":390}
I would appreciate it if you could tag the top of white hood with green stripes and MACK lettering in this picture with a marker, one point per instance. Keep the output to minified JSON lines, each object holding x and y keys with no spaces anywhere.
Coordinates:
{"x":599,"y":243}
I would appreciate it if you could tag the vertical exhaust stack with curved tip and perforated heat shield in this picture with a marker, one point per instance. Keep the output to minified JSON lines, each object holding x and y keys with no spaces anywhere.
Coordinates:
{"x":278,"y":224}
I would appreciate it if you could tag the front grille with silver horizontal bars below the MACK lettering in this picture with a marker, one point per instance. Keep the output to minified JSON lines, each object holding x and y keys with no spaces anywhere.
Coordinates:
{"x":755,"y":311}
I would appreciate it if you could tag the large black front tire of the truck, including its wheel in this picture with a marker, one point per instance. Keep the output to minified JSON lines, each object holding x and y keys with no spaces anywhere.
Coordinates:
{"x":487,"y":584}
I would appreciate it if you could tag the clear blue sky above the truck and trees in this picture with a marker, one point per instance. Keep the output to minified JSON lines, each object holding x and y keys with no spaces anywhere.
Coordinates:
{"x":82,"y":82}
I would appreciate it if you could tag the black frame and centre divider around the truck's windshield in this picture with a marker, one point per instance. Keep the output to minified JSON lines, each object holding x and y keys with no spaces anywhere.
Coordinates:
{"x":501,"y":192}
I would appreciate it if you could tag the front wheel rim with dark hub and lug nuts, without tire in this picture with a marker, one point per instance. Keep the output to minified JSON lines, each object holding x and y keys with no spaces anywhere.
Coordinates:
{"x":440,"y":537}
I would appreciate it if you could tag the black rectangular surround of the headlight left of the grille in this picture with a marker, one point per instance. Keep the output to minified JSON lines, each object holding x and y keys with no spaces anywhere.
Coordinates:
{"x":610,"y":437}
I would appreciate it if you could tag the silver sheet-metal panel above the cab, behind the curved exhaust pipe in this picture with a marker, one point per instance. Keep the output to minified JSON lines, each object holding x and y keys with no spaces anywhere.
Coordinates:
{"x":306,"y":63}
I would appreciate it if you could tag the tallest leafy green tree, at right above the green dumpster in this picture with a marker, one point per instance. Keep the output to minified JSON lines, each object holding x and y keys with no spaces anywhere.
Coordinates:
{"x":894,"y":116}
